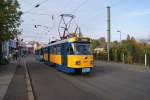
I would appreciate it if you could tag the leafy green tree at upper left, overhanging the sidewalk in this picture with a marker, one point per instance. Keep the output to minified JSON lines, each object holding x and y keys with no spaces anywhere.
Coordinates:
{"x":9,"y":20}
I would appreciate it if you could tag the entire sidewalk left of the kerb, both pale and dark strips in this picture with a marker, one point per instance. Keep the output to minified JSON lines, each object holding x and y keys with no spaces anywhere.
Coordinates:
{"x":13,"y":82}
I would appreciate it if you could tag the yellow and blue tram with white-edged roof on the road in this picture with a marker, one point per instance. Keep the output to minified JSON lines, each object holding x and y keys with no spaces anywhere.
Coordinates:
{"x":69,"y":55}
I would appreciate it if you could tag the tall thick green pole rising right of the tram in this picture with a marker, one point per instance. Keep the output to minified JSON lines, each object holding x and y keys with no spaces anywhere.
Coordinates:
{"x":108,"y":32}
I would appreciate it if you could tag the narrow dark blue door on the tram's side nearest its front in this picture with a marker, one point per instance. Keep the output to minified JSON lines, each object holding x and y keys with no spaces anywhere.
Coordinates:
{"x":64,"y":54}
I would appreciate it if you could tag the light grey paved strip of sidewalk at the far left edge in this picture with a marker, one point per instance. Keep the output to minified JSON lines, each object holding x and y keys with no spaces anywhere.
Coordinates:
{"x":6,"y":74}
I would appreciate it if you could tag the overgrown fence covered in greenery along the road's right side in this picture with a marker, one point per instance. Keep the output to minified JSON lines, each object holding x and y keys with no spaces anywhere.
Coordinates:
{"x":124,"y":57}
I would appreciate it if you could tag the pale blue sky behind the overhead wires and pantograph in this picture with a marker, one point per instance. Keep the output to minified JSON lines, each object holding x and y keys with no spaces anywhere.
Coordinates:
{"x":129,"y":16}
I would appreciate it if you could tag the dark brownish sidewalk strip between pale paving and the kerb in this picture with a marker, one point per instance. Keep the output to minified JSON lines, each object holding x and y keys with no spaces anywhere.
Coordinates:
{"x":17,"y":90}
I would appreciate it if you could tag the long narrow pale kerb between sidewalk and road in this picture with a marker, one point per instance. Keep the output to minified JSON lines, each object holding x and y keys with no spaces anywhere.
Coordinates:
{"x":28,"y":82}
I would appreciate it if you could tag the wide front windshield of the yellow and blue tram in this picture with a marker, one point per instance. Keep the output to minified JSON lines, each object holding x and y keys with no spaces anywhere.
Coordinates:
{"x":82,"y":49}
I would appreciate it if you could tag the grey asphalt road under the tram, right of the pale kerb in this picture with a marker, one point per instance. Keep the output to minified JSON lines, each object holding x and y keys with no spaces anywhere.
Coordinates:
{"x":106,"y":82}
